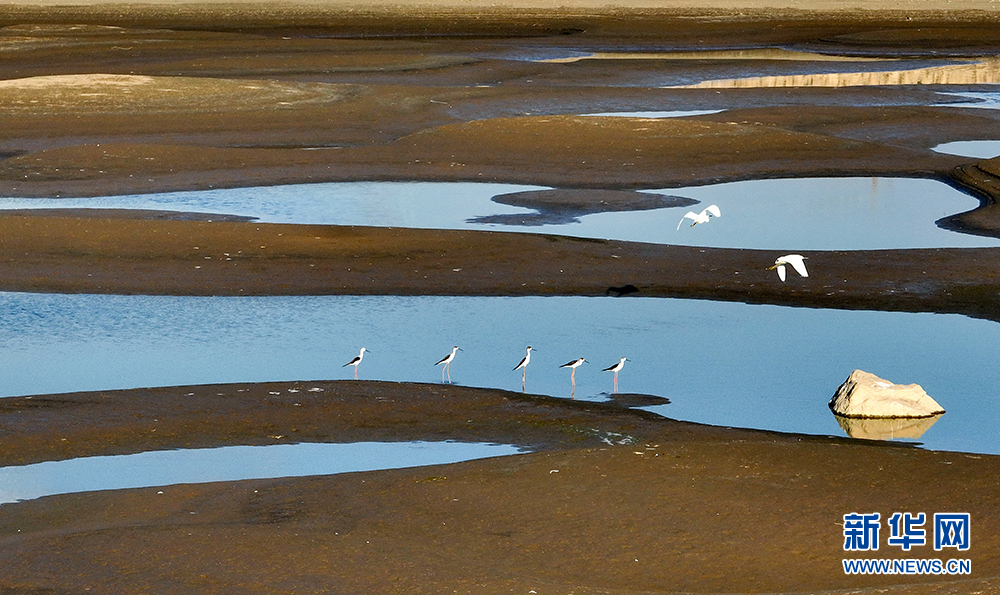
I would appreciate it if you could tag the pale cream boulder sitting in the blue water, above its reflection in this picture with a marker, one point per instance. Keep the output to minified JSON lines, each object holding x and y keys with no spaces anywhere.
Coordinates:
{"x":866,"y":395}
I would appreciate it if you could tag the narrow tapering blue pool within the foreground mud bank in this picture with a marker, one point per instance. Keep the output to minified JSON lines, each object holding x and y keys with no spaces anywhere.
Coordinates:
{"x":230,"y":463}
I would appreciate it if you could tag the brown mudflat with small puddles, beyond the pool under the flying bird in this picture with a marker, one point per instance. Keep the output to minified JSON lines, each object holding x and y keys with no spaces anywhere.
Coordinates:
{"x":91,"y":110}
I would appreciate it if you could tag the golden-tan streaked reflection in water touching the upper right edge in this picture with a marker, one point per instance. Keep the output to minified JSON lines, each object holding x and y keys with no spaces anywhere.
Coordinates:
{"x":984,"y":71}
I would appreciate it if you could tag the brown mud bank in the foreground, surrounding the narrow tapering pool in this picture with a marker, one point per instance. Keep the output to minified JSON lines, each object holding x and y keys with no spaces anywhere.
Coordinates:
{"x":609,"y":500}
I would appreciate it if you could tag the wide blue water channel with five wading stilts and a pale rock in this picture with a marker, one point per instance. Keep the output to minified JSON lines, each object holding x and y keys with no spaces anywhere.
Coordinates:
{"x":733,"y":364}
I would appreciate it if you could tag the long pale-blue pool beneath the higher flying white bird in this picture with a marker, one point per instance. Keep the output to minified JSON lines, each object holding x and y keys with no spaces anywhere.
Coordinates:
{"x":787,"y":214}
